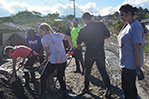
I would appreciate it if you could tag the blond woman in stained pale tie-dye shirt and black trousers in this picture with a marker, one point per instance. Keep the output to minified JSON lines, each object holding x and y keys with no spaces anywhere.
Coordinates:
{"x":54,"y":48}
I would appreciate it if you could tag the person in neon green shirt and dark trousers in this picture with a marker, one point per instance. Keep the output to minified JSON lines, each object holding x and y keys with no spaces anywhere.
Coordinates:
{"x":77,"y":51}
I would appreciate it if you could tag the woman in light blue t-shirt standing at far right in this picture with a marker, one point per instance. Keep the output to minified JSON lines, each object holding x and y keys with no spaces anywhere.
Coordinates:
{"x":131,"y":47}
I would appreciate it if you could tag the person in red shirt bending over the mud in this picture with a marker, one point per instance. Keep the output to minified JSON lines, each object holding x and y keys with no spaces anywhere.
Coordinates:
{"x":23,"y":52}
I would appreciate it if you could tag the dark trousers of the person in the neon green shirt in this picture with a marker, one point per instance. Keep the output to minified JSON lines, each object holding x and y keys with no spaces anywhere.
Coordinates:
{"x":78,"y":59}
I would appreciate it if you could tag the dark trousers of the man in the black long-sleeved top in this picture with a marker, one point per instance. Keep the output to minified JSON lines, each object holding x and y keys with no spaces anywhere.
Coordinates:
{"x":100,"y":62}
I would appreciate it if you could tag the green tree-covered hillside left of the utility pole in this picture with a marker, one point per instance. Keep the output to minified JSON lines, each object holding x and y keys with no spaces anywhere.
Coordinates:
{"x":34,"y":18}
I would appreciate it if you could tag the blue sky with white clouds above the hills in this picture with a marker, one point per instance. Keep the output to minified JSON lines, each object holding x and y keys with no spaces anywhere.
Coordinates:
{"x":65,"y":7}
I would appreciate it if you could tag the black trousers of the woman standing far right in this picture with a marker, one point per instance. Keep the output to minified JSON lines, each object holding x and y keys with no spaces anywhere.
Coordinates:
{"x":129,"y":83}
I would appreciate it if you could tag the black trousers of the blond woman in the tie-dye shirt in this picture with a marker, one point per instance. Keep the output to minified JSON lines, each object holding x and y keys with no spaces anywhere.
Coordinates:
{"x":50,"y":68}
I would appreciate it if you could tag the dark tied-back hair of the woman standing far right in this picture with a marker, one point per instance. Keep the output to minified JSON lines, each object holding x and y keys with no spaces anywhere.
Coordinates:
{"x":128,"y":8}
